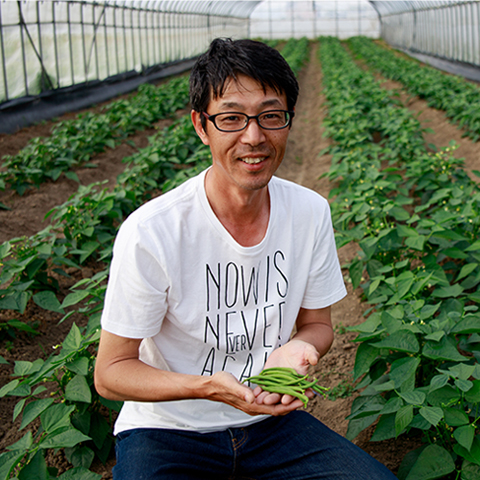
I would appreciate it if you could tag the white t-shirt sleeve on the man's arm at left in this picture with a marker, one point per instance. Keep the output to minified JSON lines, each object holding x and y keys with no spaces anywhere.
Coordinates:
{"x":136,"y":297}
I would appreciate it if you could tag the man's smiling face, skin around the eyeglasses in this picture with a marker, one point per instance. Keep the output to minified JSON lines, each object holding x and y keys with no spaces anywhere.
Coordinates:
{"x":246,"y":159}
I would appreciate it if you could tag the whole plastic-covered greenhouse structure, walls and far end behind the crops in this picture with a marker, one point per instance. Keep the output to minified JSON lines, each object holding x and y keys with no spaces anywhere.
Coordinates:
{"x":88,"y":51}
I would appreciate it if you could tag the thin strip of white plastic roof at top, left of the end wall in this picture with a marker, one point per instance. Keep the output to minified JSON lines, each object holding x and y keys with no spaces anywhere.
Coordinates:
{"x":228,"y":8}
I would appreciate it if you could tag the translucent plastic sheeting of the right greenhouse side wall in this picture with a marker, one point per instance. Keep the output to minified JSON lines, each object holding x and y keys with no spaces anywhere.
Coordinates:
{"x":445,"y":29}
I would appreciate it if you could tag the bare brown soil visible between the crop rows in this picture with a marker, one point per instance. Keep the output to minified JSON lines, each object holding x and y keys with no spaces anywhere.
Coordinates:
{"x":302,"y":164}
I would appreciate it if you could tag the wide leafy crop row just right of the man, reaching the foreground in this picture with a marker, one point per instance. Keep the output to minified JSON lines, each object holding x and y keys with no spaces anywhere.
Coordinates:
{"x":415,"y":216}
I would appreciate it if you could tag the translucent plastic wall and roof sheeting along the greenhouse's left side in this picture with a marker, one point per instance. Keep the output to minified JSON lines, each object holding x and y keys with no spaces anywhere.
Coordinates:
{"x":47,"y":45}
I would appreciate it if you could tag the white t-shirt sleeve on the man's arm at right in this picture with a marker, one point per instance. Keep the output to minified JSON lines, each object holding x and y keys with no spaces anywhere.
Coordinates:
{"x":325,"y":284}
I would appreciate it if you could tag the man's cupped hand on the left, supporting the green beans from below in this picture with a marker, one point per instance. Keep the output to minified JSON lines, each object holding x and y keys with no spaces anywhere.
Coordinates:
{"x":227,"y":389}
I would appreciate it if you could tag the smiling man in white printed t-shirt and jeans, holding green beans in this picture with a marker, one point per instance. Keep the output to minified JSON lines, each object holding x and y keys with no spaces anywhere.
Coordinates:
{"x":207,"y":284}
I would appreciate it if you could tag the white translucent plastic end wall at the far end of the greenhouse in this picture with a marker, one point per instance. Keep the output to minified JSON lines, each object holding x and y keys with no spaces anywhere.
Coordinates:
{"x":280,"y":19}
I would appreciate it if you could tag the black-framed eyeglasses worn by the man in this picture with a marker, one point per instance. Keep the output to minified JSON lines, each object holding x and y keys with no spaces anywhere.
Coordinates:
{"x":235,"y":121}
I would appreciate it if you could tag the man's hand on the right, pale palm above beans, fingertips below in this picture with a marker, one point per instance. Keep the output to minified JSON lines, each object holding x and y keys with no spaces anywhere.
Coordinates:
{"x":295,"y":354}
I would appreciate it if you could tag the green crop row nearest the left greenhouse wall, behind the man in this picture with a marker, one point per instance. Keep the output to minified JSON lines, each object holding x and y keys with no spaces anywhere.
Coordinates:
{"x":74,"y":142}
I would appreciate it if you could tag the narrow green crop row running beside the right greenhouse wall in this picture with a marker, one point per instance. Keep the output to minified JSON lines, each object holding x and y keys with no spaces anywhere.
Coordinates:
{"x":459,"y":98}
